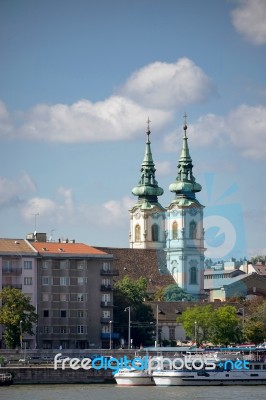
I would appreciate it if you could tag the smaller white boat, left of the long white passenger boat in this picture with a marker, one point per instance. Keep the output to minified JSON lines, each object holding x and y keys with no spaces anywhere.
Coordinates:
{"x":133,"y":377}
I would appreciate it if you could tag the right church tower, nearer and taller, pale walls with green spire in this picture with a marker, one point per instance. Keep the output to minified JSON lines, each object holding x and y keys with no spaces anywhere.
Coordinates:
{"x":184,"y":227}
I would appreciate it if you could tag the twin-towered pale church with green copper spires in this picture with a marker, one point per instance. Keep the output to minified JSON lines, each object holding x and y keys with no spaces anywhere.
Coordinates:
{"x":177,"y":228}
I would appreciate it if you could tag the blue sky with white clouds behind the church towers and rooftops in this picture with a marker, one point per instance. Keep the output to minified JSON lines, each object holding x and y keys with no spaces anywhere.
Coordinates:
{"x":78,"y":81}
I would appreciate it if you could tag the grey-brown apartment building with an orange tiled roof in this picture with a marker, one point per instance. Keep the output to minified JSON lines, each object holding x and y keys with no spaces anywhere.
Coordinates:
{"x":75,"y":298}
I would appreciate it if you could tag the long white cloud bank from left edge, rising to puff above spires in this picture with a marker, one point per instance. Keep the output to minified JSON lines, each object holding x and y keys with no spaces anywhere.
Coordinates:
{"x":156,"y":90}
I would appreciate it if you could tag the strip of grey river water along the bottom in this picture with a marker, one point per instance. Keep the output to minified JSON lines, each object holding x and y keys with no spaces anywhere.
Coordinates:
{"x":114,"y":392}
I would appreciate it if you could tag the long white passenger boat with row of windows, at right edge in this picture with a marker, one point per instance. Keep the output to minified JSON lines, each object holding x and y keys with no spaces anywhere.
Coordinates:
{"x":255,"y":375}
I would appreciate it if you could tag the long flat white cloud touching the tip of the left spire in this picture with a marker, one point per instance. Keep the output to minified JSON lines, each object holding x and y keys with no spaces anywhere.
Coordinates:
{"x":116,"y":118}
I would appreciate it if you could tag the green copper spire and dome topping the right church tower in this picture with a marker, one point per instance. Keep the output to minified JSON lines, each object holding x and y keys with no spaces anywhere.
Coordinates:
{"x":185,"y":183}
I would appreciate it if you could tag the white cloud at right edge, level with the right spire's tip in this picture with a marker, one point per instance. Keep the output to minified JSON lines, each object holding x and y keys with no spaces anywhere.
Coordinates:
{"x":243,"y":128}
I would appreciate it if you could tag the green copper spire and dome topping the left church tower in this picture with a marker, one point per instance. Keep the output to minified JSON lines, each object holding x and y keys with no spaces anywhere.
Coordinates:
{"x":147,"y":188}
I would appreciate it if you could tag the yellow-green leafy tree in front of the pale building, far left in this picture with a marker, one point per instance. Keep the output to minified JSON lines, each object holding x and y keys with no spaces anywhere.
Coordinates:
{"x":16,"y":314}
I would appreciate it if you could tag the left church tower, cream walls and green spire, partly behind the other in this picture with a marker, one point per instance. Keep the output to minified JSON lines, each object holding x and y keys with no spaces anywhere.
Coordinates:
{"x":147,"y":216}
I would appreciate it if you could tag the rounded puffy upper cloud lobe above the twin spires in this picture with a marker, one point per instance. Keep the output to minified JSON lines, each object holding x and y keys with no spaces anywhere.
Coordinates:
{"x":163,"y":85}
